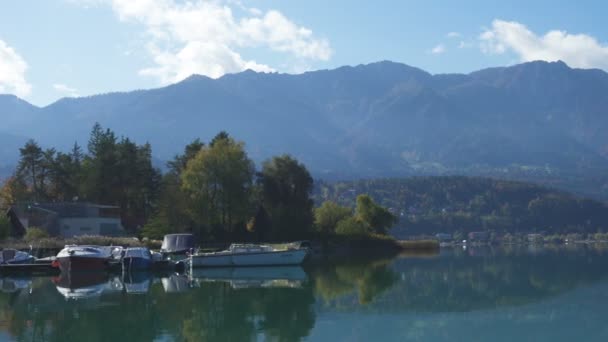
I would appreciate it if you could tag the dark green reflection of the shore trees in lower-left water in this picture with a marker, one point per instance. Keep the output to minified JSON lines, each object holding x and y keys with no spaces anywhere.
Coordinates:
{"x":213,"y":312}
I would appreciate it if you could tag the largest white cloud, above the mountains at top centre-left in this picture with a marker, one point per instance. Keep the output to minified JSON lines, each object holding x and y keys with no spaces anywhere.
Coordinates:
{"x":204,"y":36}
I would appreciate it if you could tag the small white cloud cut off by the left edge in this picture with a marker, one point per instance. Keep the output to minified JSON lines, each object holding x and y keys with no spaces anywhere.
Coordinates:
{"x":12,"y":72}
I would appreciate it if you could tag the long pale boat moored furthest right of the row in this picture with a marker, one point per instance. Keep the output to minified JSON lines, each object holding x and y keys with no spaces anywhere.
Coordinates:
{"x":250,"y":255}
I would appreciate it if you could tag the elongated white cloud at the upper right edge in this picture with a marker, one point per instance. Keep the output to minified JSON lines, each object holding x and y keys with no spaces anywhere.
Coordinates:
{"x":578,"y":50}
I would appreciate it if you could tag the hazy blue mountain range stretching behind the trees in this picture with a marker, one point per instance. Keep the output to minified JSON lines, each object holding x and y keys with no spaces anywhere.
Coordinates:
{"x":383,"y":119}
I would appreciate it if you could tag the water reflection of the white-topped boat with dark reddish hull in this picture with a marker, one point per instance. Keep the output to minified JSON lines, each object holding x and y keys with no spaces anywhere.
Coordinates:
{"x":86,"y":285}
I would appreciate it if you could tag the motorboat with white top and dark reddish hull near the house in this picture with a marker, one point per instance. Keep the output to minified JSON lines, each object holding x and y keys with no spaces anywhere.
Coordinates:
{"x":87,"y":258}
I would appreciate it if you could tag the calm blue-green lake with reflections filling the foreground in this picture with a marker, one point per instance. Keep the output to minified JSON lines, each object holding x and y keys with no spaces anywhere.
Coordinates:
{"x":514,"y":293}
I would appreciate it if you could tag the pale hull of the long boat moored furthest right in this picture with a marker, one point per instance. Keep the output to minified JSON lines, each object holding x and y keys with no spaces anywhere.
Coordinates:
{"x":271,"y":258}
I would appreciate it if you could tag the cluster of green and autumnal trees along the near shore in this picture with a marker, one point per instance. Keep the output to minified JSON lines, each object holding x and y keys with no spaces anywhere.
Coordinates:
{"x":211,"y":189}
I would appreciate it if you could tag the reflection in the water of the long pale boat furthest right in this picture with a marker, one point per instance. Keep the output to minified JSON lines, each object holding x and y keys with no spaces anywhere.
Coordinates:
{"x":240,"y":277}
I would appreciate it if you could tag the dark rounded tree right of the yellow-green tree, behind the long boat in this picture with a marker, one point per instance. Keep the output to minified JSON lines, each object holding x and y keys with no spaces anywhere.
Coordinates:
{"x":286,"y":186}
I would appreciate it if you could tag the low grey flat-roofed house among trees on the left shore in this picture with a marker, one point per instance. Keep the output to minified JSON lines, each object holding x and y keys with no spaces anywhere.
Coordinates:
{"x":71,"y":219}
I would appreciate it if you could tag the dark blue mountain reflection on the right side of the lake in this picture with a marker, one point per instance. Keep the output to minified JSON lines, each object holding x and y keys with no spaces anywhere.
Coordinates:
{"x":482,"y":278}
